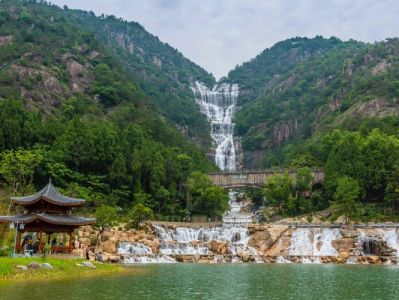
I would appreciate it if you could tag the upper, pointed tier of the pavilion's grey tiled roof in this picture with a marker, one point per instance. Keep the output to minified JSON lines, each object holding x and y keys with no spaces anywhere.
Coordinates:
{"x":50,"y":194}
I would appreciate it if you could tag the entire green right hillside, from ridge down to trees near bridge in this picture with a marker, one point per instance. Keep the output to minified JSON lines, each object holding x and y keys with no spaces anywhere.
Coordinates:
{"x":326,"y":103}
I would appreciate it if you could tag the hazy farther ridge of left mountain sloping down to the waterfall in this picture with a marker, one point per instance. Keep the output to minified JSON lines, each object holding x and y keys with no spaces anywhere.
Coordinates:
{"x":163,"y":73}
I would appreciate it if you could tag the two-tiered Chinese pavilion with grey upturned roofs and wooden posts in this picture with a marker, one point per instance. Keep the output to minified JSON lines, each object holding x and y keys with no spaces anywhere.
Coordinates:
{"x":46,"y":212}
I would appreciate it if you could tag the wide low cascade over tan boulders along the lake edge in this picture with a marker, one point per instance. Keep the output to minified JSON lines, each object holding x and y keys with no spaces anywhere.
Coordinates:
{"x":233,"y":243}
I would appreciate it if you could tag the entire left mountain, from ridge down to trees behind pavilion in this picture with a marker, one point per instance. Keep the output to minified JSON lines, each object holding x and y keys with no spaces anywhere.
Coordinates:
{"x":94,"y":103}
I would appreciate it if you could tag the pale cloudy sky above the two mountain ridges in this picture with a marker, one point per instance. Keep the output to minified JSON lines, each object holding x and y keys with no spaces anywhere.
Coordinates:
{"x":220,"y":34}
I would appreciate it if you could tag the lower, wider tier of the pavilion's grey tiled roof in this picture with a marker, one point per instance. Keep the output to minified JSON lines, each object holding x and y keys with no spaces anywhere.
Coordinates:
{"x":48,"y":218}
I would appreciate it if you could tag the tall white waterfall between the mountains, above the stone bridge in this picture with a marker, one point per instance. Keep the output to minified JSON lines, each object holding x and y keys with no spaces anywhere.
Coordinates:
{"x":218,"y":105}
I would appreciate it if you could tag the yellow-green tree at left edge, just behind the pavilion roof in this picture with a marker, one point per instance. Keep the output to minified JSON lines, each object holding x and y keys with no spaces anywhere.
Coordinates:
{"x":18,"y":167}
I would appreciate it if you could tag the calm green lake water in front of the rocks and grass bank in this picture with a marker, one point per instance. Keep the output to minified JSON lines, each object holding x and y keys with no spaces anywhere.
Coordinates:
{"x":245,"y":281}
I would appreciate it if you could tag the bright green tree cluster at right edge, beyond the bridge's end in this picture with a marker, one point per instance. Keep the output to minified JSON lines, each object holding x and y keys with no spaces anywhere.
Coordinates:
{"x":371,"y":159}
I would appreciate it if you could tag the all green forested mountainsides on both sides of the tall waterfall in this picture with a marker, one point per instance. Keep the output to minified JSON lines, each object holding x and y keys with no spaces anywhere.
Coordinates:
{"x":105,"y":109}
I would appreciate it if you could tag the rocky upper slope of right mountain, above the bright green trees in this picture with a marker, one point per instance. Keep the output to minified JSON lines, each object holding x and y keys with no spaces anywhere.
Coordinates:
{"x":294,"y":93}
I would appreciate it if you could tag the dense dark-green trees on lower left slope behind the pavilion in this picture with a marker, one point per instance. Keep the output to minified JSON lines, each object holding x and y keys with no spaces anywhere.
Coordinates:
{"x":96,"y":159}
